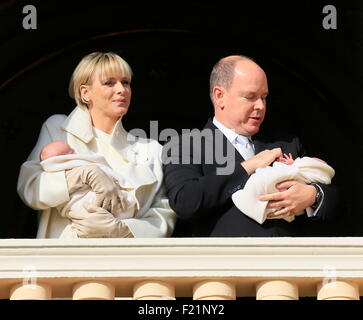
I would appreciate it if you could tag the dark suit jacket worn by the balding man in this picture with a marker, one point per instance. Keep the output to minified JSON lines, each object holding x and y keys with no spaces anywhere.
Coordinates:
{"x":201,"y":196}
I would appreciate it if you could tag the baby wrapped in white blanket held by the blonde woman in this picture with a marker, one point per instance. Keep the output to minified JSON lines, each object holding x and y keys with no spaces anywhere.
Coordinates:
{"x":58,"y":156}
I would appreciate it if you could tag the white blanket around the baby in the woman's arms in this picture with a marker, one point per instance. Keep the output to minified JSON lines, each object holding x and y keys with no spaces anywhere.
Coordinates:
{"x":126,"y":191}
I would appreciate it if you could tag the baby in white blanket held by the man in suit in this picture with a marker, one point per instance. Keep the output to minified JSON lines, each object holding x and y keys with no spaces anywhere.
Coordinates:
{"x":264,"y":180}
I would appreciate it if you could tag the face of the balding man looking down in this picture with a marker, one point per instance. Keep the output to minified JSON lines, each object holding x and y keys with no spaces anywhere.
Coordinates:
{"x":243,"y":107}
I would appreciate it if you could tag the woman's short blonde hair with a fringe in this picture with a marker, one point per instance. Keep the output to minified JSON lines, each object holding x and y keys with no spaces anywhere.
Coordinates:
{"x":108,"y":64}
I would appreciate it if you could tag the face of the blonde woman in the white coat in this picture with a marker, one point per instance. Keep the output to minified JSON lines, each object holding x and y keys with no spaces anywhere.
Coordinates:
{"x":108,"y":96}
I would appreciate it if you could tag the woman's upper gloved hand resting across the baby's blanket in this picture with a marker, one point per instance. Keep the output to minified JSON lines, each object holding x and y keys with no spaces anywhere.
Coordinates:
{"x":104,"y":187}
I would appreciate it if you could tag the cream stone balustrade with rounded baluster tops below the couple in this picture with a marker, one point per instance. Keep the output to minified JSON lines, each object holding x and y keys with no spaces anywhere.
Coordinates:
{"x":198,"y":268}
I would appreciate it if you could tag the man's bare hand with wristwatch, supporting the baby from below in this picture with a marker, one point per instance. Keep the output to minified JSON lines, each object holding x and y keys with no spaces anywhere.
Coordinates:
{"x":293,"y":198}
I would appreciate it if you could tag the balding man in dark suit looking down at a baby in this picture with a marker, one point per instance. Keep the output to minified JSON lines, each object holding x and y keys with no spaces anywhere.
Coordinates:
{"x":204,"y":168}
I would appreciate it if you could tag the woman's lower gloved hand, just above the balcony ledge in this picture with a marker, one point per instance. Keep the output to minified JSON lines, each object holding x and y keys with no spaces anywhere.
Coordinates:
{"x":98,"y":223}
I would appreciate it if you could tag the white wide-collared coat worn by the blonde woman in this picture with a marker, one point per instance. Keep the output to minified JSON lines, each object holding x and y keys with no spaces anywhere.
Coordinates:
{"x":136,"y":158}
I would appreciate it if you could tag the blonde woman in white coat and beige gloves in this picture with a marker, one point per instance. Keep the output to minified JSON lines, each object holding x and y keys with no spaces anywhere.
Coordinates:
{"x":100,"y":85}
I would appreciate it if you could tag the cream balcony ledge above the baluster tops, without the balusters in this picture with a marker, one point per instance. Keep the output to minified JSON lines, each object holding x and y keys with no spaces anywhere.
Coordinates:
{"x":182,"y":262}
